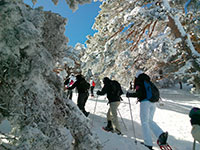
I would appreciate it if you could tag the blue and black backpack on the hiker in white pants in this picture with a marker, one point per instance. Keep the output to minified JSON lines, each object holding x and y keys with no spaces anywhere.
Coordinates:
{"x":152,"y":92}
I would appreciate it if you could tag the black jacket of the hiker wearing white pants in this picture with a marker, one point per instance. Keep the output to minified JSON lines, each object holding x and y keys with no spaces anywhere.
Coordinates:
{"x":139,"y":87}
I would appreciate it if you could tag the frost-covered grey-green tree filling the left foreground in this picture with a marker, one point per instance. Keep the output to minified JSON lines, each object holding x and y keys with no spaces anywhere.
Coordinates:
{"x":33,"y":112}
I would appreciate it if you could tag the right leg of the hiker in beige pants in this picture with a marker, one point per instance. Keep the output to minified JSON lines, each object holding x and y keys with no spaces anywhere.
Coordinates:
{"x":113,"y":109}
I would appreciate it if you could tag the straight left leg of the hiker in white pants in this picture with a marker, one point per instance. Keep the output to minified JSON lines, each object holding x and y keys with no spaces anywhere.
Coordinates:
{"x":144,"y":117}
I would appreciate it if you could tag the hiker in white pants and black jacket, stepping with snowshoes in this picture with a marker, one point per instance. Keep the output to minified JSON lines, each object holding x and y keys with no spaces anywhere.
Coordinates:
{"x":147,"y":110}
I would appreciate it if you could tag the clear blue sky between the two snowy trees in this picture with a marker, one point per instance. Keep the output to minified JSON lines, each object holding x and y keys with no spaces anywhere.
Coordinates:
{"x":79,"y":23}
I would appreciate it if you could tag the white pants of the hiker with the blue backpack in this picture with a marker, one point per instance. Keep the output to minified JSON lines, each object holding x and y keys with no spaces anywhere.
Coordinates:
{"x":147,"y":110}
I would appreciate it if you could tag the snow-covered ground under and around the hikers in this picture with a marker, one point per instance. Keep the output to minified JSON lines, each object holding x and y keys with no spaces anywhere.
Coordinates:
{"x":171,"y":114}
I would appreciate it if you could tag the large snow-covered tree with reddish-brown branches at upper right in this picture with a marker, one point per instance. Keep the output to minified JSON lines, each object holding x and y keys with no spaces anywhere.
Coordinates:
{"x":149,"y":35}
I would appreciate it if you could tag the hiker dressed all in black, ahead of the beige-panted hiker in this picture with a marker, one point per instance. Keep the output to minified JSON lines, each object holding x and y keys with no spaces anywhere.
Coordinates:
{"x":82,"y":87}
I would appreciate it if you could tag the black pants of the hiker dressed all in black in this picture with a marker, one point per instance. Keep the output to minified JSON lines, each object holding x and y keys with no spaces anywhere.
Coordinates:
{"x":82,"y":99}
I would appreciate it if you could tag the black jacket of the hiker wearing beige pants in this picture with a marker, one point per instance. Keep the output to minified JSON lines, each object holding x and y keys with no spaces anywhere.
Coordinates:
{"x":107,"y":89}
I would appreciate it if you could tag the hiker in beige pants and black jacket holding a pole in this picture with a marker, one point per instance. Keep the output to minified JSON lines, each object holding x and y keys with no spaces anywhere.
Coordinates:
{"x":114,"y":102}
